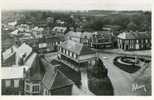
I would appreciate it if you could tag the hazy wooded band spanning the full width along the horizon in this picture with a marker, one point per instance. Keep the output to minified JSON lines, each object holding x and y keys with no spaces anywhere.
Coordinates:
{"x":95,"y":20}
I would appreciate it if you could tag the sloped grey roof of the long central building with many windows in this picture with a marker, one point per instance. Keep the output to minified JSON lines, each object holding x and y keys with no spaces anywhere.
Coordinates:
{"x":76,"y":47}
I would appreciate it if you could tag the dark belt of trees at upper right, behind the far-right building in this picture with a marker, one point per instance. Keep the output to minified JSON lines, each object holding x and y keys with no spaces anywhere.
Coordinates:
{"x":134,"y":22}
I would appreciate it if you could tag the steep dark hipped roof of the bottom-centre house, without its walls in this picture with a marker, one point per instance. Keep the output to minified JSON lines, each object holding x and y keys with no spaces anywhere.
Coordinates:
{"x":54,"y":79}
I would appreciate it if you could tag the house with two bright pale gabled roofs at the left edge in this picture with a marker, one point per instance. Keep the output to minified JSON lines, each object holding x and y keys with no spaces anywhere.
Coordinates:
{"x":16,"y":56}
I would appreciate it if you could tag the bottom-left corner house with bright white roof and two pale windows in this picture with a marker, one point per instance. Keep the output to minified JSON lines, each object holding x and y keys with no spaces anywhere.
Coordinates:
{"x":12,"y":80}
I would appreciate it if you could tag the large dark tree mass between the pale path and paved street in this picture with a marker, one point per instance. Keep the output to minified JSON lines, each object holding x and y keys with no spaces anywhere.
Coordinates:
{"x":98,"y":81}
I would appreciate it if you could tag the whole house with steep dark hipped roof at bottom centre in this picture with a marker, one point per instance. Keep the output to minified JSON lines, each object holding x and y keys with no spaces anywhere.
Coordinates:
{"x":56,"y":83}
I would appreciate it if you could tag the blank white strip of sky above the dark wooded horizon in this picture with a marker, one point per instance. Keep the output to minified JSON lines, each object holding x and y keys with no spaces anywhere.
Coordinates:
{"x":77,"y":4}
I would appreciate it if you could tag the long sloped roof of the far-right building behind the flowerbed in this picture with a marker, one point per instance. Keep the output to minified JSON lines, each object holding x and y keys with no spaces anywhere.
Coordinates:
{"x":134,"y":35}
